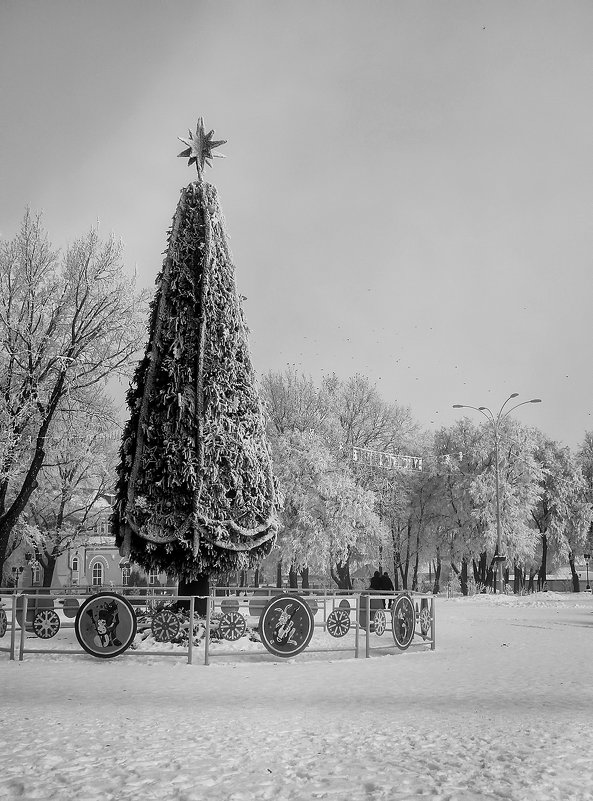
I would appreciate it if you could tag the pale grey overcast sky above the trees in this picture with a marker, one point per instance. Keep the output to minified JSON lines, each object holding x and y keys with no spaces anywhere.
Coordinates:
{"x":408,"y":186}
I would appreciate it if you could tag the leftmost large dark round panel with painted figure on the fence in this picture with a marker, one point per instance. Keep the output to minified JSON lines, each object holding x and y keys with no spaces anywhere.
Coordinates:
{"x":105,"y":625}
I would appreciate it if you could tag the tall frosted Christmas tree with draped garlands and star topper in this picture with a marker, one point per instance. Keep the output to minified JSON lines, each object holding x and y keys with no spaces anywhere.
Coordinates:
{"x":195,"y":492}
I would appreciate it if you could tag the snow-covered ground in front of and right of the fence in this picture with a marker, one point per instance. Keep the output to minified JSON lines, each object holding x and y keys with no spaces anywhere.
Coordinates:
{"x":502,"y":709}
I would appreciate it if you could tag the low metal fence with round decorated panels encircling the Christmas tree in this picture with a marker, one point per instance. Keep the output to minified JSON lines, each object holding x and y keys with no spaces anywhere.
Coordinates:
{"x":230,"y":622}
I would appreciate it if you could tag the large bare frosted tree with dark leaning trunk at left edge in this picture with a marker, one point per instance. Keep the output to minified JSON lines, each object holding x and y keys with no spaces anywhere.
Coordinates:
{"x":67,"y":323}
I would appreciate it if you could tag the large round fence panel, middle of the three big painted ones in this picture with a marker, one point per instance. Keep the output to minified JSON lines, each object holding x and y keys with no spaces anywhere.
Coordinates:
{"x":286,"y":625}
